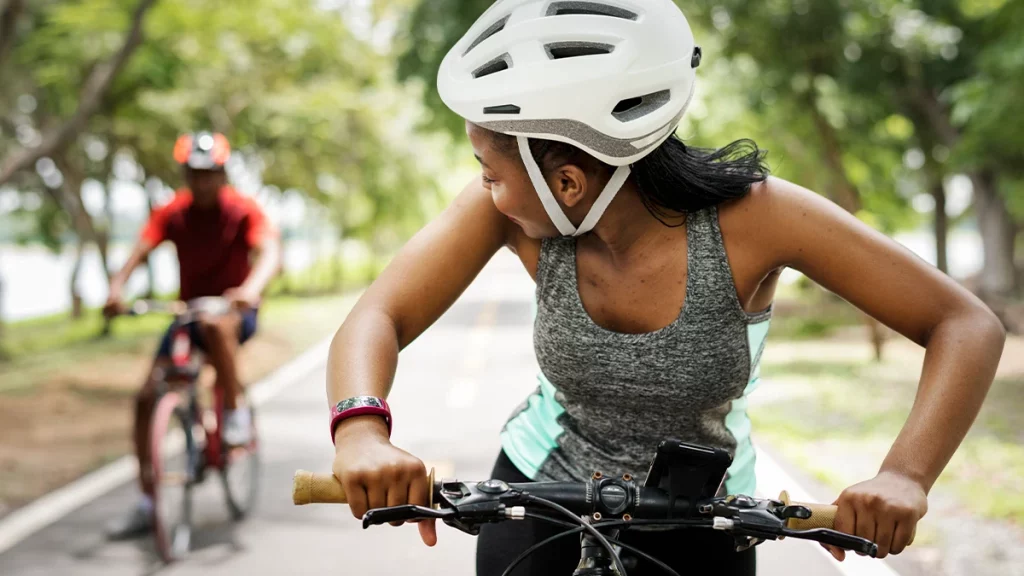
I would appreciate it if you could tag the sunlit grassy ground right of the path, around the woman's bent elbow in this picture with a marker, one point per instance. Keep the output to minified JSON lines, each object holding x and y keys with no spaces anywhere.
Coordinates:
{"x":829,"y":409}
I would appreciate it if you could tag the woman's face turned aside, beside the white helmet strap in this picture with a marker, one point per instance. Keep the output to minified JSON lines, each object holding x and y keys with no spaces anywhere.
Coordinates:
{"x":511,"y":189}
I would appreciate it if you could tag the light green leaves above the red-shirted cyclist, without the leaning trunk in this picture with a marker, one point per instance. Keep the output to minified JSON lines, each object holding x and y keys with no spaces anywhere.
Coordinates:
{"x":309,"y":103}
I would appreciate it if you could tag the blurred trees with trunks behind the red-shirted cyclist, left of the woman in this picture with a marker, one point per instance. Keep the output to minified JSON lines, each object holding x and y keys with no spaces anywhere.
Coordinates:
{"x":95,"y":93}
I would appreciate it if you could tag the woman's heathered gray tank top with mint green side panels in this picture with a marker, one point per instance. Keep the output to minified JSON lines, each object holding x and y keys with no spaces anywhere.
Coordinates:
{"x":607,"y":399}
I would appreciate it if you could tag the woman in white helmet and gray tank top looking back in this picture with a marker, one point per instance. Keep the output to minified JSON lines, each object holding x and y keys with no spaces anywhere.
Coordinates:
{"x":656,"y":266}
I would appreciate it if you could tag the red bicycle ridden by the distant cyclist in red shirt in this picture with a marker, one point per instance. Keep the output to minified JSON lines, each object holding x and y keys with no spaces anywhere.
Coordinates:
{"x":186,"y":435}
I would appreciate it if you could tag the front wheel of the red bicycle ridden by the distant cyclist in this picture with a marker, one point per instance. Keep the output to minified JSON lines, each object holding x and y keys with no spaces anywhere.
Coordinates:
{"x":174,"y":457}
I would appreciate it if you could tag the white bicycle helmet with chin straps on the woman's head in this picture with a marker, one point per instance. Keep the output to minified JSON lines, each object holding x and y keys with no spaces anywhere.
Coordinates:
{"x":611,"y":77}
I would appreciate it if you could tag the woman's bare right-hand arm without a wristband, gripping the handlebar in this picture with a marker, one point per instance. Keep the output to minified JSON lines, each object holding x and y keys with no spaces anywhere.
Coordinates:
{"x":963,"y":338}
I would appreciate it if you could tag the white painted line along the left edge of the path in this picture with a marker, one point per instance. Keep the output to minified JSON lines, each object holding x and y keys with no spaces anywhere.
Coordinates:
{"x":27,"y":521}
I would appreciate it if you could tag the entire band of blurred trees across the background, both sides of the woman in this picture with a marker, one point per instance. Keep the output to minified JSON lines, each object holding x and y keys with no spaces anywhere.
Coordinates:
{"x":905,"y":112}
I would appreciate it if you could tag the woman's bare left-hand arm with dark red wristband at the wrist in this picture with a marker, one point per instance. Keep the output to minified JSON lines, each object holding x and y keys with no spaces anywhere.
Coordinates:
{"x":424,"y":280}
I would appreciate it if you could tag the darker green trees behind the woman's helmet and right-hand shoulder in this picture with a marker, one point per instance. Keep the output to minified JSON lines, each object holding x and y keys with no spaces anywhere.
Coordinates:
{"x":904,"y":112}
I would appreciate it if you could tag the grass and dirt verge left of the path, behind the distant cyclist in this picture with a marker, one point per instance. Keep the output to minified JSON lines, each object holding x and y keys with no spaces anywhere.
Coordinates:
{"x":66,"y":413}
